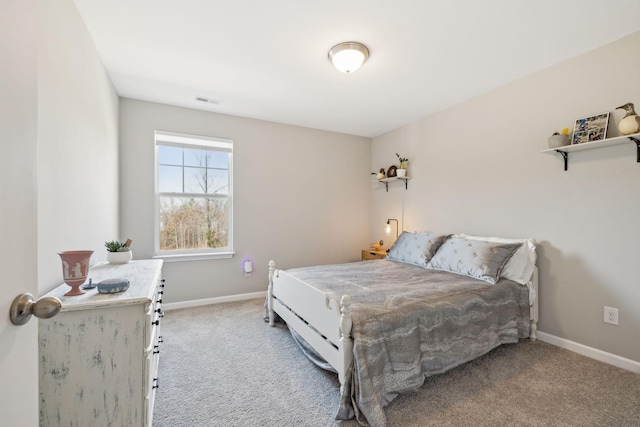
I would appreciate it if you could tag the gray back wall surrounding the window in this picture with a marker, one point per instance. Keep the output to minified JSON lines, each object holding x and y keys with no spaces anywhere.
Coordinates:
{"x":301,"y":196}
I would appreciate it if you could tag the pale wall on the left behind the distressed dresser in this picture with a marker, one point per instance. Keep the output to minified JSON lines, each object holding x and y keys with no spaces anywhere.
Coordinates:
{"x":77,"y":143}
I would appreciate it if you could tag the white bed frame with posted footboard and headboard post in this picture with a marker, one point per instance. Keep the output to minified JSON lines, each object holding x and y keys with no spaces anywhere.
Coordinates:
{"x":324,"y":322}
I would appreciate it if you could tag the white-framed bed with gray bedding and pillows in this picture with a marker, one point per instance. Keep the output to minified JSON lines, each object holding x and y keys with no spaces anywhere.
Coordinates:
{"x":435,"y":302}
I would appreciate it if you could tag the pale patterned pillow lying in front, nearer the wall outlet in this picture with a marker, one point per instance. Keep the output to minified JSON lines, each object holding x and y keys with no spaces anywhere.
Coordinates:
{"x":474,"y":258}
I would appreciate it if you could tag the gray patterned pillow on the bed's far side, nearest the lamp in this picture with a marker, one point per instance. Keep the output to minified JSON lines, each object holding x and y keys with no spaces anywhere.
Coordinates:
{"x":415,"y":248}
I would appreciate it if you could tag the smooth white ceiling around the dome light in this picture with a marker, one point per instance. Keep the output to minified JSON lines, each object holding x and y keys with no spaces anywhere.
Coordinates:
{"x":268,"y":59}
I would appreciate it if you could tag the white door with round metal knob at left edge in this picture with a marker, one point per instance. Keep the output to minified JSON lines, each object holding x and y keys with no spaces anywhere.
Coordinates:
{"x":18,"y":221}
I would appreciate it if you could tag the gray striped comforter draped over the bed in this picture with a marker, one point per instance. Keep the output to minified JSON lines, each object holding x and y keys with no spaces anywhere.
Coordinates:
{"x":410,"y":322}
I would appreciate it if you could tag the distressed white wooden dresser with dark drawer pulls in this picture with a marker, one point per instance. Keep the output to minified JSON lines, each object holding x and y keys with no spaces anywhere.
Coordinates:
{"x":99,"y":356}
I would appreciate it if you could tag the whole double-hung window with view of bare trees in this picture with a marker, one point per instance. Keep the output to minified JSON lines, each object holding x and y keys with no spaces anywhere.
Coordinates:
{"x":194,"y":193}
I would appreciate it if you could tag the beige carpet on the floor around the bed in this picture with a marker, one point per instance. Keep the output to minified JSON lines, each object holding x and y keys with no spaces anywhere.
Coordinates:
{"x":221,"y":365}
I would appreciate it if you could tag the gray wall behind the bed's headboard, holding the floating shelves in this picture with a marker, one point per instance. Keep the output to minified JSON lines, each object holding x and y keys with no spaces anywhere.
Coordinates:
{"x":478,"y":169}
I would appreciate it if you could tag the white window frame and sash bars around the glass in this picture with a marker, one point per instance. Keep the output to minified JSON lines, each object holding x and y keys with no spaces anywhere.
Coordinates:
{"x":175,"y":139}
